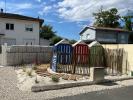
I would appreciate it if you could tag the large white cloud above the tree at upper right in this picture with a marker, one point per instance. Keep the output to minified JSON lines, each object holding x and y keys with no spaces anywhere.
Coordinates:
{"x":81,"y":10}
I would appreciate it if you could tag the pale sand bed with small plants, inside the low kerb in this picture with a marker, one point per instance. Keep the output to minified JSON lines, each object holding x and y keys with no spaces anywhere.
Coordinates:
{"x":25,"y":82}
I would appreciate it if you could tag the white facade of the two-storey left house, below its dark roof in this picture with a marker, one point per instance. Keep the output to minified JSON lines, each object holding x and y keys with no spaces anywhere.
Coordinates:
{"x":19,"y":32}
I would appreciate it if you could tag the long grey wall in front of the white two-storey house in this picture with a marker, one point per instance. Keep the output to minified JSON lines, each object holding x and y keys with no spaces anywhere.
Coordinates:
{"x":15,"y":55}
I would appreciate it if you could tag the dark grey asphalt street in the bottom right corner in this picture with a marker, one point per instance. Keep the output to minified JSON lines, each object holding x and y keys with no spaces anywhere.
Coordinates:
{"x":125,"y":93}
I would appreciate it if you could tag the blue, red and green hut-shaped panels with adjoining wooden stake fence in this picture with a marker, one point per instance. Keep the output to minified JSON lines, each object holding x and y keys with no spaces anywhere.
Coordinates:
{"x":80,"y":58}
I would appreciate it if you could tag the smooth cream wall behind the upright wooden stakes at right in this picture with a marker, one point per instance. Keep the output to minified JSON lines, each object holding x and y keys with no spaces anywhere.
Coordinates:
{"x":128,"y":55}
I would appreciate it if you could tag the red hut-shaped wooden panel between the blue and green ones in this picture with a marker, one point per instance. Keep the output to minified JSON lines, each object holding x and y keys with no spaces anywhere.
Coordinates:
{"x":81,"y":58}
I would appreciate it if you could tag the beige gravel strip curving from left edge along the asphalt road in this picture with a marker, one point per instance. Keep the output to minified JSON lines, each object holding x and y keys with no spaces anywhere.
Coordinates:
{"x":9,"y":91}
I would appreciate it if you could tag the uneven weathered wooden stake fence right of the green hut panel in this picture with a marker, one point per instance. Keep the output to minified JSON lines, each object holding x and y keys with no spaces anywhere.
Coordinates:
{"x":114,"y":61}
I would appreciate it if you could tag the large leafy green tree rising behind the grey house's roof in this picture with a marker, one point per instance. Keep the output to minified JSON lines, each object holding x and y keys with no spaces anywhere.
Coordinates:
{"x":107,"y":18}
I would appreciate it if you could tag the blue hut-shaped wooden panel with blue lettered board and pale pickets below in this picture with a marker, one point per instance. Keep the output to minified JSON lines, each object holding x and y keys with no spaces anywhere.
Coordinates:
{"x":62,"y":58}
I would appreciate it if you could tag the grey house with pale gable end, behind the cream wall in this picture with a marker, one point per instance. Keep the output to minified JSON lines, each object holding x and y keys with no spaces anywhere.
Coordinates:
{"x":105,"y":35}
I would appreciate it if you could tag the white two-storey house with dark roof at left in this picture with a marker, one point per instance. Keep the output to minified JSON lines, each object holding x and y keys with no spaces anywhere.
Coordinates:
{"x":18,"y":29}
